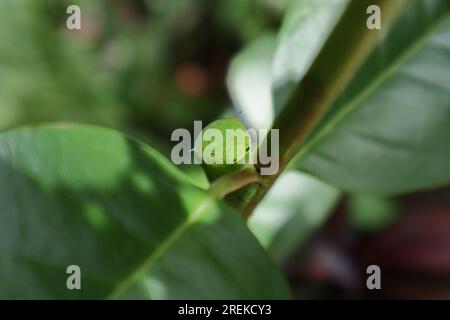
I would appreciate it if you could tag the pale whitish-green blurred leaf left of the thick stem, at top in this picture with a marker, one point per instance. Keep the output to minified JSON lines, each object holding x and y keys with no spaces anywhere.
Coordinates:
{"x":276,"y":64}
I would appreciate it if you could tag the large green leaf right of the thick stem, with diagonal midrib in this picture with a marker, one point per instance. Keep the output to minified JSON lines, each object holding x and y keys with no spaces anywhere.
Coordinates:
{"x":388,"y":132}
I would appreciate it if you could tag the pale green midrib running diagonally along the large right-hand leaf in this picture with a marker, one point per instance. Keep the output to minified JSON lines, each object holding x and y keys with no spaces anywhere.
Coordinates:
{"x":371,"y":87}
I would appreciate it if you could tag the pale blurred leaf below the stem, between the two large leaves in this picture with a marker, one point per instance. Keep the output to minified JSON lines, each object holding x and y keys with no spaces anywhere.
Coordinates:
{"x":293,"y":209}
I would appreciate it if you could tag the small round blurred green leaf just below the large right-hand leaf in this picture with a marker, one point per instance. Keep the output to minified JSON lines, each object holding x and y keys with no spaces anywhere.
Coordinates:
{"x":370,"y":213}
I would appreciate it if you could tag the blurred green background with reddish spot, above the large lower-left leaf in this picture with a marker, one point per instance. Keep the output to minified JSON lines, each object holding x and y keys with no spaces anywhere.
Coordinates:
{"x":146,"y":67}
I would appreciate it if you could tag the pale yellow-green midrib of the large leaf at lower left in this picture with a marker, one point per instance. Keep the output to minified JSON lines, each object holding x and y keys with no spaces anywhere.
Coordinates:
{"x":142,"y":269}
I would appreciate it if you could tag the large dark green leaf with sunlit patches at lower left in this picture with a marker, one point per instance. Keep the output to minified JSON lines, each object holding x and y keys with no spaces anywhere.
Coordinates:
{"x":135,"y":225}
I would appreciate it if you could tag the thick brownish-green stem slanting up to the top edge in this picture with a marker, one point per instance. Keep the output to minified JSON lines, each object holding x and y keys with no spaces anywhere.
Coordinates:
{"x":342,"y":55}
